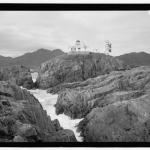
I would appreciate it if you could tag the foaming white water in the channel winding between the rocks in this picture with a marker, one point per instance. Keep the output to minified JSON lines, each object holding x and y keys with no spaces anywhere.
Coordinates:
{"x":48,"y":101}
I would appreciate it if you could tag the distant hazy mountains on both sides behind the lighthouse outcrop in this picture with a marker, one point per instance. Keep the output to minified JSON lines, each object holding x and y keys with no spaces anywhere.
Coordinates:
{"x":34,"y":59}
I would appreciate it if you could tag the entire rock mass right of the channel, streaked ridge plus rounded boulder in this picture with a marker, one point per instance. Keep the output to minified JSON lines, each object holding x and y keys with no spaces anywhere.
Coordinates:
{"x":115,"y":106}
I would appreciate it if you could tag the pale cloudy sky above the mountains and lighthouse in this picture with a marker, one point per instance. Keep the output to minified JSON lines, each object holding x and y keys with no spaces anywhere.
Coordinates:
{"x":27,"y":31}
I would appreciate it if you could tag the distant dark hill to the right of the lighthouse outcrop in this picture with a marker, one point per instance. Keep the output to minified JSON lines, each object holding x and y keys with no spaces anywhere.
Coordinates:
{"x":136,"y":59}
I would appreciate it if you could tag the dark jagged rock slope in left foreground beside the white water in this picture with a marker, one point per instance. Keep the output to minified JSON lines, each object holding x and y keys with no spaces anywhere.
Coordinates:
{"x":22,"y":118}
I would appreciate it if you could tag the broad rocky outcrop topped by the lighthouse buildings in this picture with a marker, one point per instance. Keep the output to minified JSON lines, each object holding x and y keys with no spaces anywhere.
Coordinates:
{"x":73,"y":68}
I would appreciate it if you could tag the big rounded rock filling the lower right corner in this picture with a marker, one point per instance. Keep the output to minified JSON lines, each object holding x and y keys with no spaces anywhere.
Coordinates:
{"x":126,"y":121}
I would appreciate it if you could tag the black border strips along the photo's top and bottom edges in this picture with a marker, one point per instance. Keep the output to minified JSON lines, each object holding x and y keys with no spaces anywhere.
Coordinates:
{"x":74,"y":7}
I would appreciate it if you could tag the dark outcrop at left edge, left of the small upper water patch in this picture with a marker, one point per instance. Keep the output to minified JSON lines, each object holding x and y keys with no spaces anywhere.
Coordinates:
{"x":17,"y":74}
